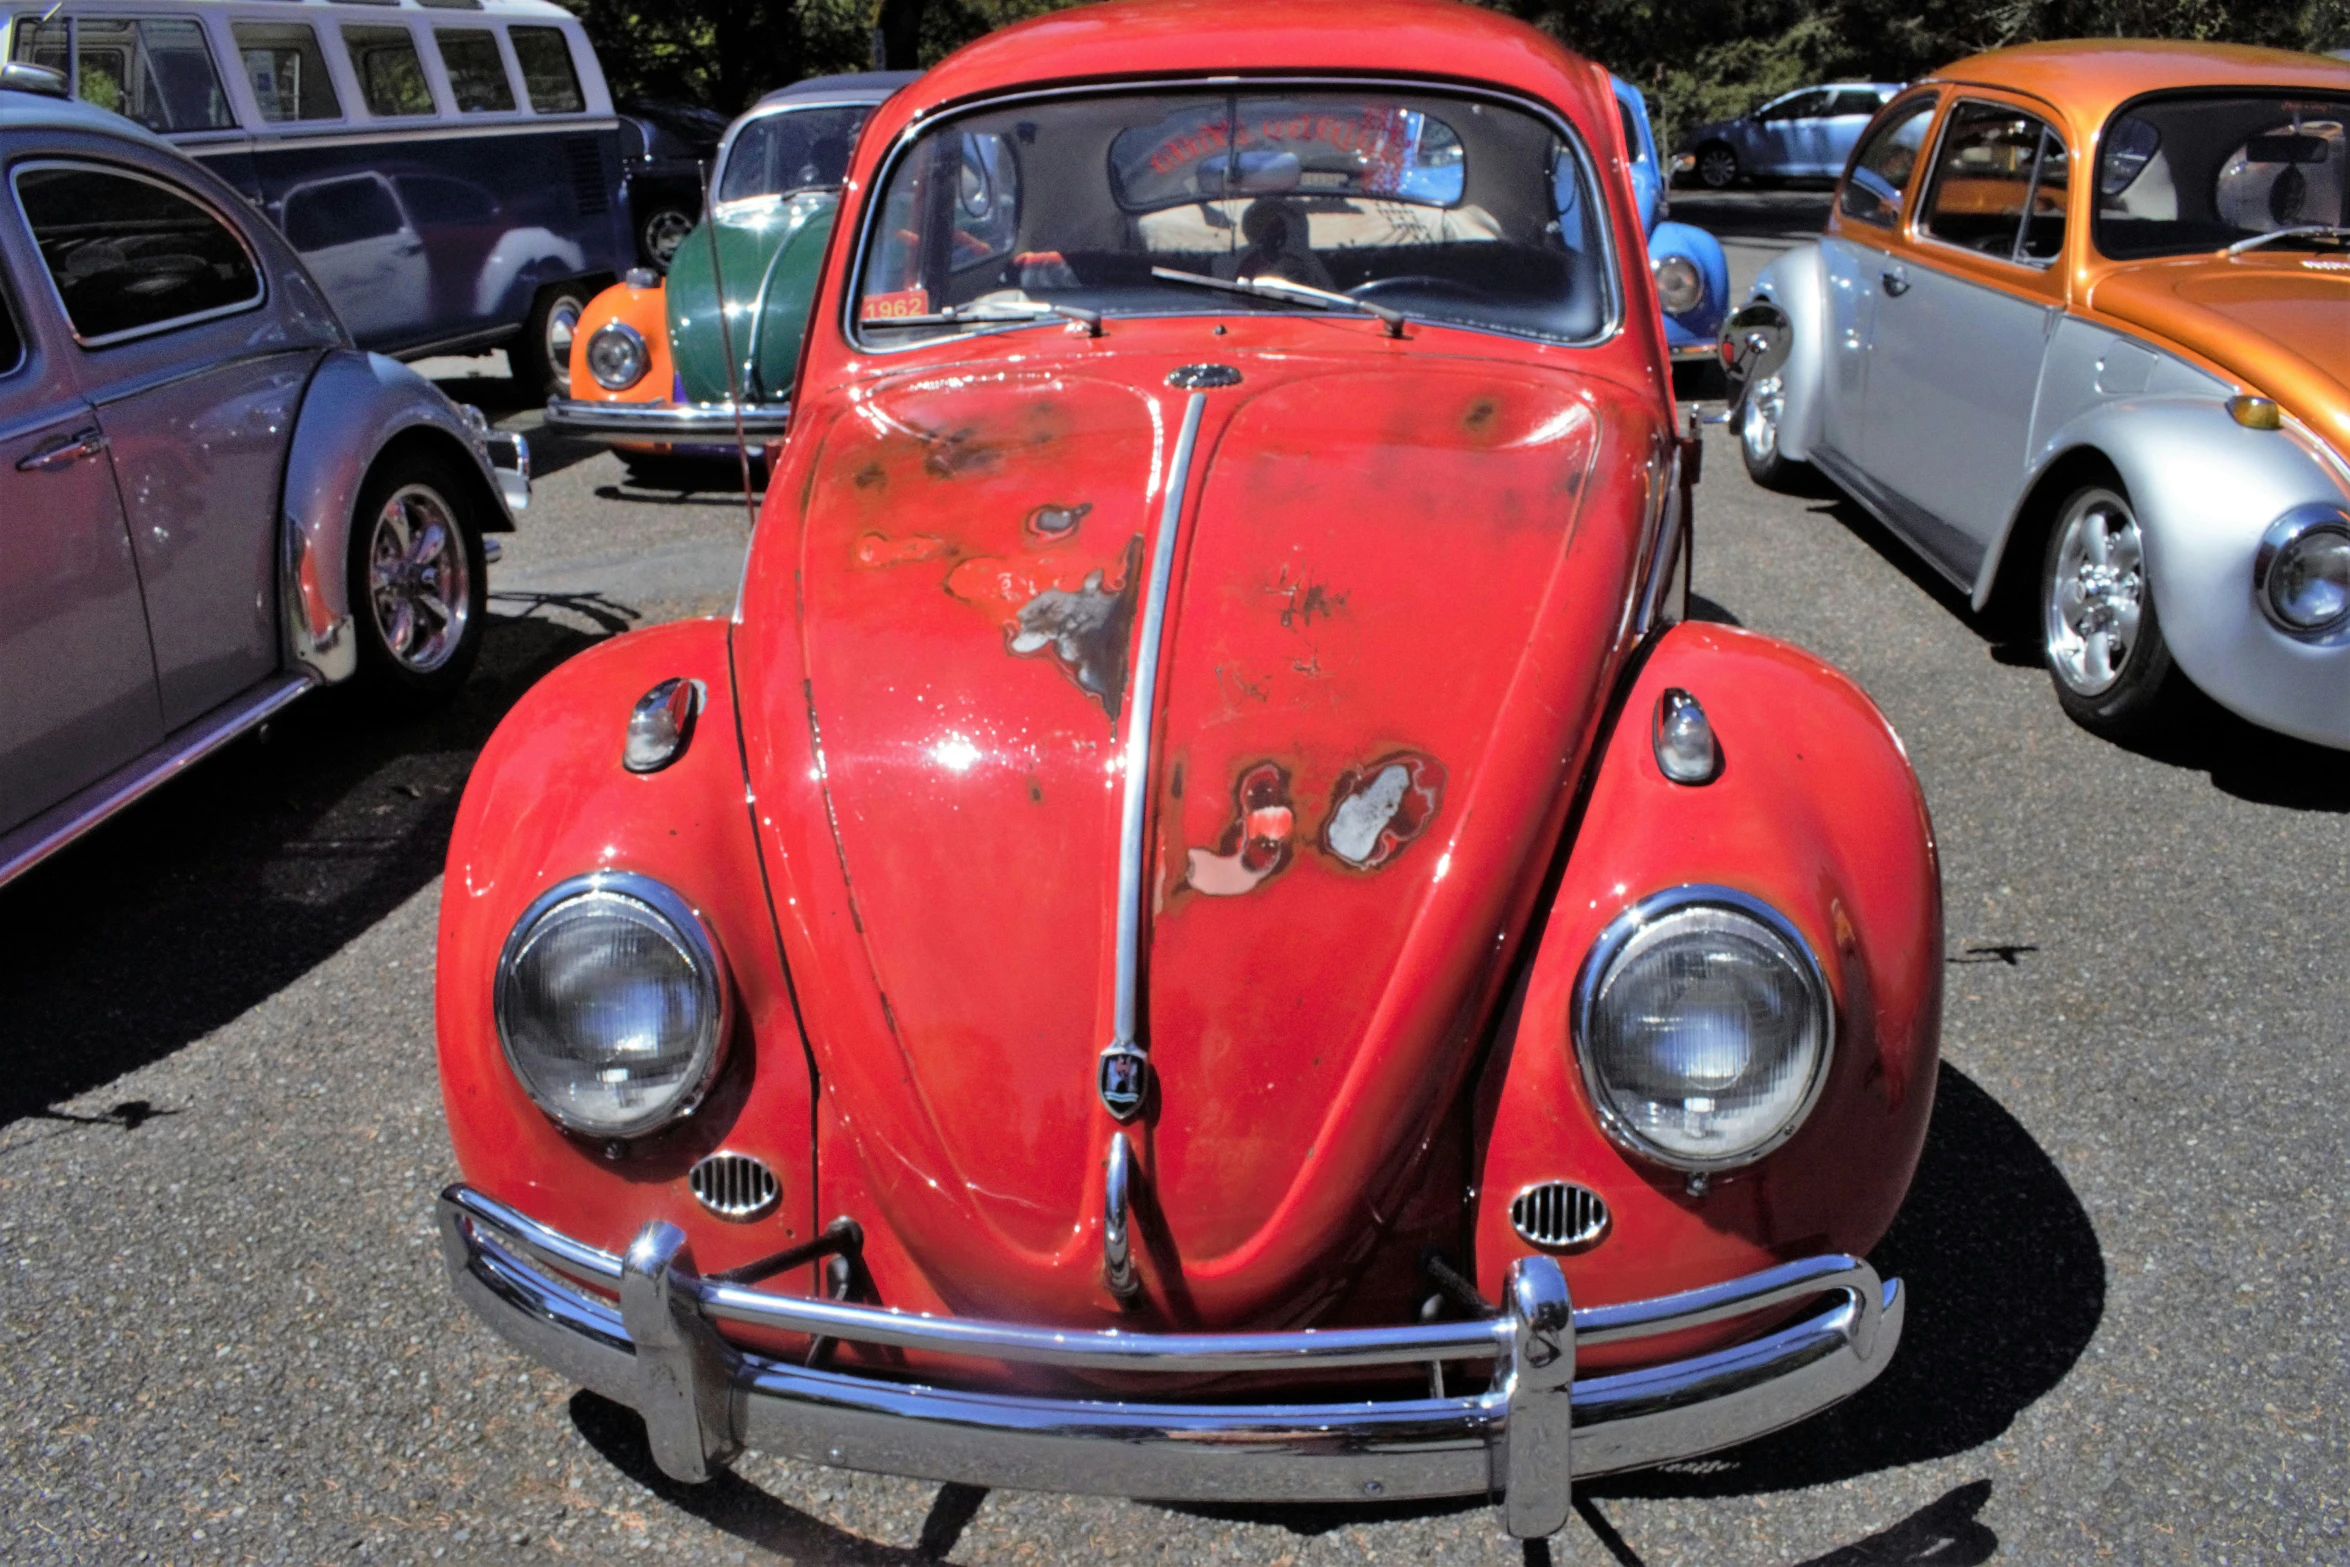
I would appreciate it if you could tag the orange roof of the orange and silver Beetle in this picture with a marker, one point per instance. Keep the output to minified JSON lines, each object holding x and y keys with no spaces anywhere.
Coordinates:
{"x":2093,"y":76}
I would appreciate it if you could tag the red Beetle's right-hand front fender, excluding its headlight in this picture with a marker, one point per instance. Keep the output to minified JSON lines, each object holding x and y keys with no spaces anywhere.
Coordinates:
{"x":1815,"y":812}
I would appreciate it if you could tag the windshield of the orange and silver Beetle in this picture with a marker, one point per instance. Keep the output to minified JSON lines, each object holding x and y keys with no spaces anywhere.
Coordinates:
{"x":2205,"y":173}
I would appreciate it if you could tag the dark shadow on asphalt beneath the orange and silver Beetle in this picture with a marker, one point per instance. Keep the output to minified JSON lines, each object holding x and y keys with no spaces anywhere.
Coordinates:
{"x":2241,"y":760}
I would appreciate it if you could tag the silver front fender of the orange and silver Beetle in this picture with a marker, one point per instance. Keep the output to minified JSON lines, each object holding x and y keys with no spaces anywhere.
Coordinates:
{"x":2205,"y":490}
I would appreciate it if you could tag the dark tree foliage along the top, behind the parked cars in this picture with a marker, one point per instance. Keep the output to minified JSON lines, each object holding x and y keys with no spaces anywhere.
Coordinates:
{"x":1698,"y":60}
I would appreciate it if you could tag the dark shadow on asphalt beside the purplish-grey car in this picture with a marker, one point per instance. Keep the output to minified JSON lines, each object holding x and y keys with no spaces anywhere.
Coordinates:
{"x":227,"y":887}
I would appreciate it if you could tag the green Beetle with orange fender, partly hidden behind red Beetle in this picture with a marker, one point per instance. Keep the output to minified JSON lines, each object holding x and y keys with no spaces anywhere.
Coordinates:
{"x":650,"y":363}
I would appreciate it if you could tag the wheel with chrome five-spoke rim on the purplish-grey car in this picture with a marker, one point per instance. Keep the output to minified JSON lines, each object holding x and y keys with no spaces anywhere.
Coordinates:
{"x":424,"y":654}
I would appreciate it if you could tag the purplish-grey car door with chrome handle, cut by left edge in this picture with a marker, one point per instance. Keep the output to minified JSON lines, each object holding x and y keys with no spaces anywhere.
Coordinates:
{"x":76,"y":675}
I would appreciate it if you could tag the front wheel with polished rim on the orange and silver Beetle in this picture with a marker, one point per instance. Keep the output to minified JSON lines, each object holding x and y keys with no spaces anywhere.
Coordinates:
{"x":2097,"y":605}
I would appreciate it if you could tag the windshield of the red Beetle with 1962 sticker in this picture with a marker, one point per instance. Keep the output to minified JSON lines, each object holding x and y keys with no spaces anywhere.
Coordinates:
{"x":1146,"y":203}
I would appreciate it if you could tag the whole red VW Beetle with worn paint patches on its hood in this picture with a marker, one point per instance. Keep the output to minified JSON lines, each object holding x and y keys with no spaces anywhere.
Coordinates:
{"x":1204,"y":932}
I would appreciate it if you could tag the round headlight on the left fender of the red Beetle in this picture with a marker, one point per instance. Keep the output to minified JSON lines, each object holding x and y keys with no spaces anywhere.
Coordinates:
{"x":612,"y":1004}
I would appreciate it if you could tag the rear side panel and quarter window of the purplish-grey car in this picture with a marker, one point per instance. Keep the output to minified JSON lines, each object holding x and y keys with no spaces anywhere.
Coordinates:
{"x":196,"y":389}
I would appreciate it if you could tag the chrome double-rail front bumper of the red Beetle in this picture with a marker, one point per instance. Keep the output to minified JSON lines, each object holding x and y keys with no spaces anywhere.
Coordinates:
{"x":1519,"y":1444}
